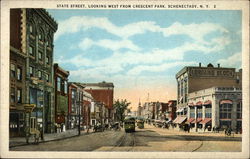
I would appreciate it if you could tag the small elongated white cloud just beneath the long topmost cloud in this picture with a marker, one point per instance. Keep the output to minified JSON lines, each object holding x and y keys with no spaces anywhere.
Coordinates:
{"x":109,"y":44}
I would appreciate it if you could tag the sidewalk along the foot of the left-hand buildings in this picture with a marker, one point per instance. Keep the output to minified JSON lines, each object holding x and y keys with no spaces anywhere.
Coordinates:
{"x":21,"y":141}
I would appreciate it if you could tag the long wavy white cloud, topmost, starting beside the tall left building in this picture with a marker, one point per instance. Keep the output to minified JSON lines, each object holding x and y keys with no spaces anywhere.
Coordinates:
{"x":77,"y":23}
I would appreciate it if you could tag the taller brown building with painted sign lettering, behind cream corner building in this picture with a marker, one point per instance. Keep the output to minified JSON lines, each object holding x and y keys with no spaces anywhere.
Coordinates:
{"x":193,"y":78}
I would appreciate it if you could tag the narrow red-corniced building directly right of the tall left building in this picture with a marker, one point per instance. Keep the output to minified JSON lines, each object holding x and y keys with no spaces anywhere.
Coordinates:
{"x":61,"y":96}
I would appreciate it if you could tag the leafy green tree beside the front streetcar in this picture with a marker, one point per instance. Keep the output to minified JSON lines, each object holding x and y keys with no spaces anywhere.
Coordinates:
{"x":121,"y":106}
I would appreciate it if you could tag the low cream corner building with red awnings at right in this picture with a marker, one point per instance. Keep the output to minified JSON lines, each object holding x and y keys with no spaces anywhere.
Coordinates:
{"x":215,"y":107}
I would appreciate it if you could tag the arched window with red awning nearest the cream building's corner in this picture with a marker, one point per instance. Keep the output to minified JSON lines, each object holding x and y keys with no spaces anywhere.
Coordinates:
{"x":226,"y":109}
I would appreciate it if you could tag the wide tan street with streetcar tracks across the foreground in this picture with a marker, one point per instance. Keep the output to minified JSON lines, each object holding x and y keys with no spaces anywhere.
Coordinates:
{"x":147,"y":139}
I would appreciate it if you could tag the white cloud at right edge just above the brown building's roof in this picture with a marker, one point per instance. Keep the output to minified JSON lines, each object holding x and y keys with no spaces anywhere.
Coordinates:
{"x":232,"y":61}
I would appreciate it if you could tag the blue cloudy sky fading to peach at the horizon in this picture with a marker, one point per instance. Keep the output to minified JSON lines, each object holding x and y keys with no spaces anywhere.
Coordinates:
{"x":140,"y":51}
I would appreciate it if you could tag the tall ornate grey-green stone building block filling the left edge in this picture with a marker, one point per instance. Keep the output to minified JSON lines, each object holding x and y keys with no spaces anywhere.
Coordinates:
{"x":31,"y":40}
